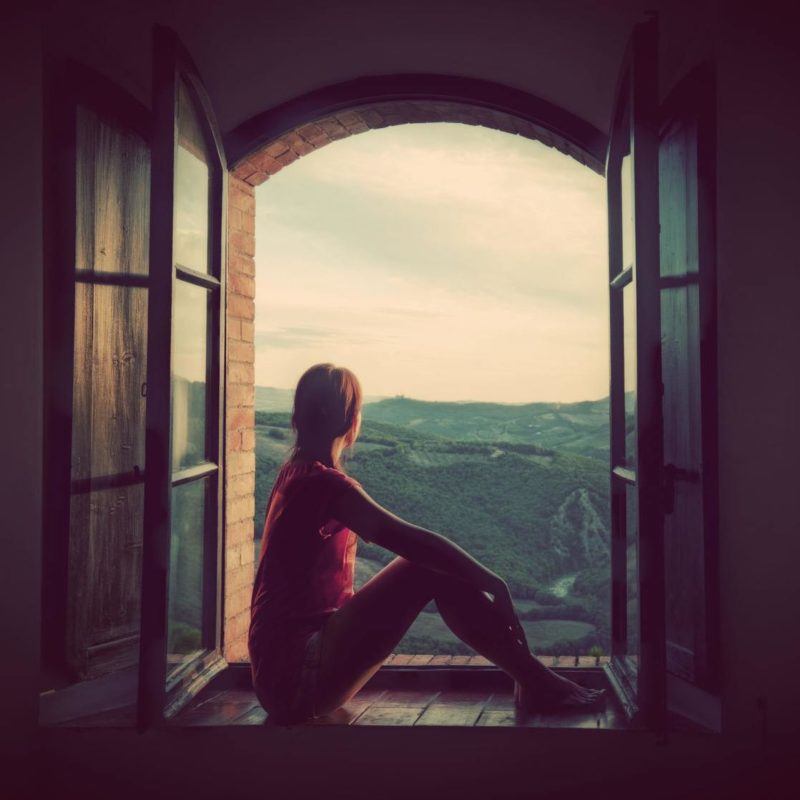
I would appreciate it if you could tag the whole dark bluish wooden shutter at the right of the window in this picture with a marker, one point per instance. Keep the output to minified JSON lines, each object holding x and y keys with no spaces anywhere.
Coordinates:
{"x":688,"y":325}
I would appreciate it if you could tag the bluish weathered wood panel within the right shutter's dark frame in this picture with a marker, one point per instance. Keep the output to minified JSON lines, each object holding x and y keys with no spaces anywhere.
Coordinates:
{"x":681,"y":375}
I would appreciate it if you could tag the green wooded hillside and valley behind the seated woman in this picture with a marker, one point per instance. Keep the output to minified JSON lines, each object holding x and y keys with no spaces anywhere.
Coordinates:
{"x":533,"y":514}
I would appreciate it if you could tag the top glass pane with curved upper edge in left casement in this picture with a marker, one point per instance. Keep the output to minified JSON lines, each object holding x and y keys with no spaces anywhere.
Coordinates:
{"x":192,"y":185}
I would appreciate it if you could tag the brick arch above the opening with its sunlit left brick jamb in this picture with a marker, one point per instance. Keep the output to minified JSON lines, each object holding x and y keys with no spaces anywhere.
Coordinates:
{"x":262,"y":147}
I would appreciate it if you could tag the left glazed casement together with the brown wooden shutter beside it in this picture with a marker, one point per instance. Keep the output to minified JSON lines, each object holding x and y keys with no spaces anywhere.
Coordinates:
{"x":135,"y":331}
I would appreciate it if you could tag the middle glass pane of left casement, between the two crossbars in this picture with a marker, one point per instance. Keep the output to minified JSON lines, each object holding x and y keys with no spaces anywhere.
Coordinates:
{"x":189,"y":374}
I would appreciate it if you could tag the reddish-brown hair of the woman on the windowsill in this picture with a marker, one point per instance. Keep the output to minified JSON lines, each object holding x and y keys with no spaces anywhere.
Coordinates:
{"x":326,"y":405}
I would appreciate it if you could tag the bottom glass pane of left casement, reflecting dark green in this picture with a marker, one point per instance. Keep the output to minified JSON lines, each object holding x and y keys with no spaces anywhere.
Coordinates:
{"x":187,"y":556}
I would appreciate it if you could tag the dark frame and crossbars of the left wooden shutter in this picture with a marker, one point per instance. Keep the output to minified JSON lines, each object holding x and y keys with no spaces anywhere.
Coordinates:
{"x":67,"y":86}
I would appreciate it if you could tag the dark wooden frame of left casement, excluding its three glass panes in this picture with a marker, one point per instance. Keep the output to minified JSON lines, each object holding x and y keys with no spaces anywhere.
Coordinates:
{"x":161,"y":693}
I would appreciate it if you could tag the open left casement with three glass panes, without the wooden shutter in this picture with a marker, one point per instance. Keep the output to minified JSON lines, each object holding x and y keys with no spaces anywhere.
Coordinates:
{"x":181,"y":572}
